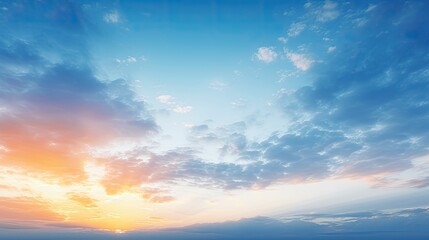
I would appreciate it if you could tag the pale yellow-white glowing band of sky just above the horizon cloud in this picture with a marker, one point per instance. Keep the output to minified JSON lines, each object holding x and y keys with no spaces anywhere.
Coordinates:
{"x":86,"y":203}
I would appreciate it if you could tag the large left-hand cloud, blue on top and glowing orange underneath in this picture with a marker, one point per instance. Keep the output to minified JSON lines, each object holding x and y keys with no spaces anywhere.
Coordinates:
{"x":56,"y":109}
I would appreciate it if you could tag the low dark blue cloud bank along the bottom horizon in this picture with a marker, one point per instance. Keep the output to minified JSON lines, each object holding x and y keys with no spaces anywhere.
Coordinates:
{"x":399,"y":224}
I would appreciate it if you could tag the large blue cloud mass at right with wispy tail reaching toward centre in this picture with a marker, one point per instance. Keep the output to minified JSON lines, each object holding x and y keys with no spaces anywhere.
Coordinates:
{"x":362,"y":117}
